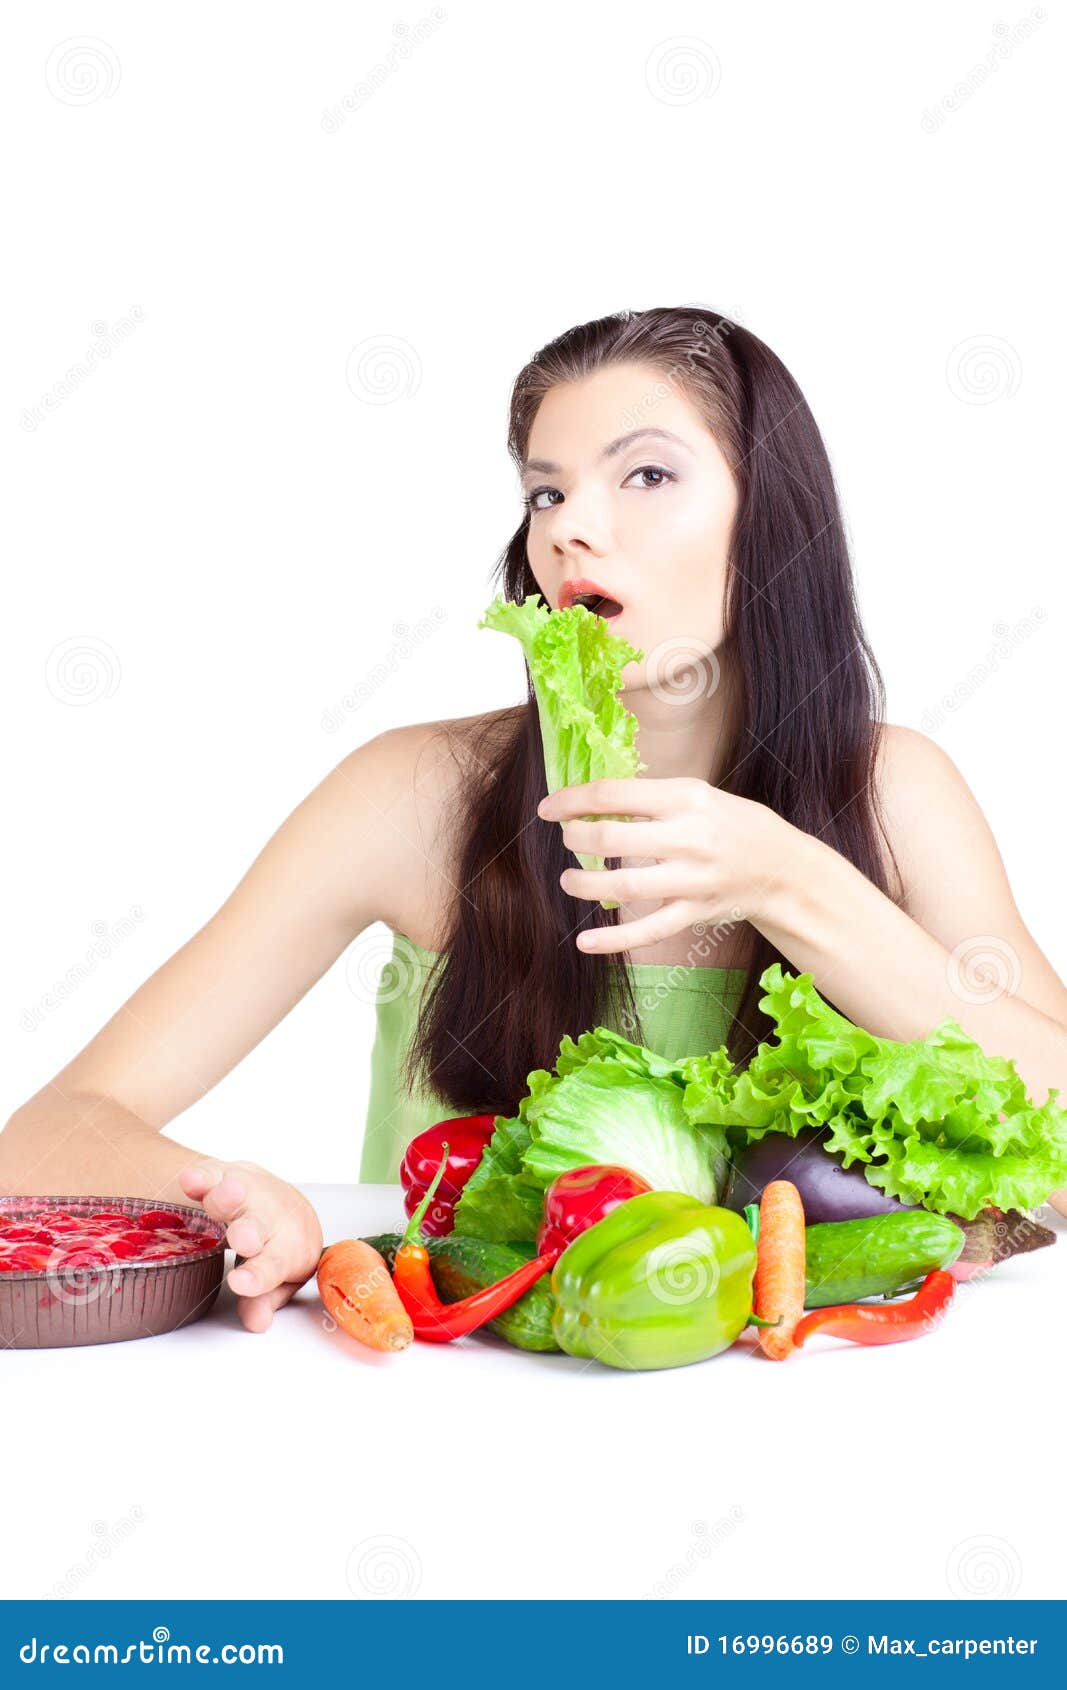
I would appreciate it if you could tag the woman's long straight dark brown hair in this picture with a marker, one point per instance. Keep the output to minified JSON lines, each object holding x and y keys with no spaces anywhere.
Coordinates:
{"x":806,"y":712}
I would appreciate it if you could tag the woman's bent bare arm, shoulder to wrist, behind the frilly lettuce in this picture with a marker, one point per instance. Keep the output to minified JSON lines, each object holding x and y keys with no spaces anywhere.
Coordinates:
{"x":958,"y":947}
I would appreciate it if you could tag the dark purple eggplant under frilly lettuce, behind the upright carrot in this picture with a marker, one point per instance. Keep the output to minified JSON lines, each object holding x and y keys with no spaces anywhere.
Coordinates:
{"x":828,"y":1191}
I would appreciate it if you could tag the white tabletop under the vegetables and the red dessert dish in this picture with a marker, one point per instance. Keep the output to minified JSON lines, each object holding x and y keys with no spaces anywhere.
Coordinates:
{"x":214,"y":1463}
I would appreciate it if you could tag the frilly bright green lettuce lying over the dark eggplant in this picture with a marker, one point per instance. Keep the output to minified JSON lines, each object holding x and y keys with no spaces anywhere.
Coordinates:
{"x":934,"y":1121}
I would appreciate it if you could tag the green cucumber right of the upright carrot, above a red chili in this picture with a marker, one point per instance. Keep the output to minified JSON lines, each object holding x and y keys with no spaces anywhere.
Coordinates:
{"x":850,"y":1260}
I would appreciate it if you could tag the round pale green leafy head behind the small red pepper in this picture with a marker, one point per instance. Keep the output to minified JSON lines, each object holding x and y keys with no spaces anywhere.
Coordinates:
{"x":608,"y":1103}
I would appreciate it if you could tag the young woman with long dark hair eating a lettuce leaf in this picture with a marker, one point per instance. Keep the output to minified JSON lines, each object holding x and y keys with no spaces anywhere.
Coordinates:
{"x":674,"y":472}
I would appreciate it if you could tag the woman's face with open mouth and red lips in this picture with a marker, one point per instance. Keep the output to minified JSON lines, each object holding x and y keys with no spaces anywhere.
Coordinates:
{"x":645,"y":518}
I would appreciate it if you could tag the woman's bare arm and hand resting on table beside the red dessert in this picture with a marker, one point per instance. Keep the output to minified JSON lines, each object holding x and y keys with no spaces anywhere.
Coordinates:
{"x":337,"y":863}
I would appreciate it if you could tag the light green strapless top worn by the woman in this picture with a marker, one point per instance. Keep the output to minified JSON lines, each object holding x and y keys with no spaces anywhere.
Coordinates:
{"x":684,"y":1013}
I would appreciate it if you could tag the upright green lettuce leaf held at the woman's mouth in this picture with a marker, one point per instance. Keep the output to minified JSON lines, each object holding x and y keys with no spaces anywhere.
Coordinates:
{"x":576,"y":667}
